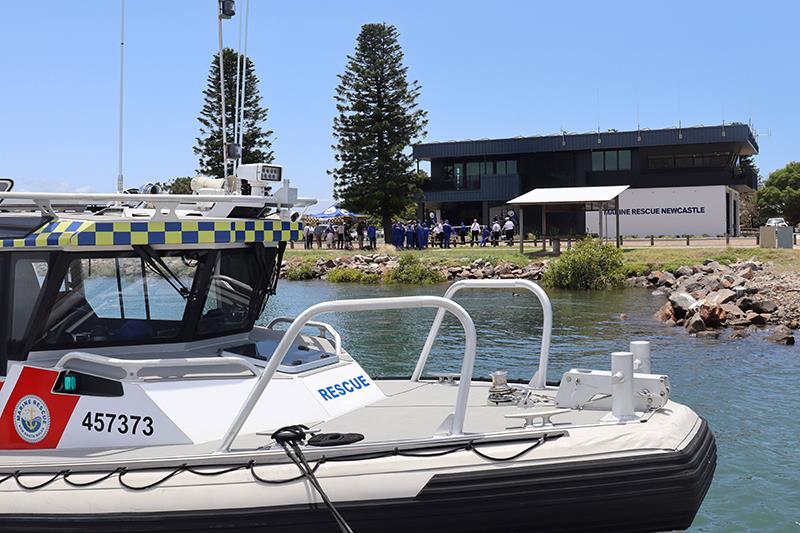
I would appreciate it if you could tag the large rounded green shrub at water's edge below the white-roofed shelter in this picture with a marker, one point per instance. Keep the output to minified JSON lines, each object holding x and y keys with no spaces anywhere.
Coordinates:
{"x":590,"y":264}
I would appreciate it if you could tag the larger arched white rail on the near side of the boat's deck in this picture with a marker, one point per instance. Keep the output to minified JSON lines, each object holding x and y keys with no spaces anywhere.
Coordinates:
{"x":368,"y":304}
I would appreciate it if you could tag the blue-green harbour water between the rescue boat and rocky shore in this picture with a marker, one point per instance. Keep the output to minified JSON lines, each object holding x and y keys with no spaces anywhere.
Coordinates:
{"x":746,"y":389}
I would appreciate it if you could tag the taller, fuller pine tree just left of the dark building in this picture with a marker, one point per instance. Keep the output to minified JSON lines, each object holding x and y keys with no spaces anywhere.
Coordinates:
{"x":378,"y":120}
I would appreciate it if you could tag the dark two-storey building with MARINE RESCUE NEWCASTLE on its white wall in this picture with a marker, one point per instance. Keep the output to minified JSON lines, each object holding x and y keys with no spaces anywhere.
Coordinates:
{"x":682,"y":180}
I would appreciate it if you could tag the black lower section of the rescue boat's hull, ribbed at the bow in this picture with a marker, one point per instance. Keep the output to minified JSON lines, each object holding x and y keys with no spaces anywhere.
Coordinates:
{"x":652,"y":492}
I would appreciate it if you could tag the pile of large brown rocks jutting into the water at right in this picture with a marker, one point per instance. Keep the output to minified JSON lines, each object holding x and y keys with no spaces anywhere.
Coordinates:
{"x":743,"y":296}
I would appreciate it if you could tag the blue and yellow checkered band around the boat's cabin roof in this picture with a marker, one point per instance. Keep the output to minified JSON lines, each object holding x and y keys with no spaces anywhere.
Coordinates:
{"x":66,"y":233}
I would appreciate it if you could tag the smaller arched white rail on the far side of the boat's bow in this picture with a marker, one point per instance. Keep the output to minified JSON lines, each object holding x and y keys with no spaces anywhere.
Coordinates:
{"x":539,"y":379}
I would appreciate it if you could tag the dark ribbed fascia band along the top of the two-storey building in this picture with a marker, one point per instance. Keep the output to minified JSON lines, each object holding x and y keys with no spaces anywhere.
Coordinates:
{"x":588,"y":141}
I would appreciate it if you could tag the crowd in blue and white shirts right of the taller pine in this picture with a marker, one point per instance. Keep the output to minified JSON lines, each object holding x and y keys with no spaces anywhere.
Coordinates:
{"x":416,"y":235}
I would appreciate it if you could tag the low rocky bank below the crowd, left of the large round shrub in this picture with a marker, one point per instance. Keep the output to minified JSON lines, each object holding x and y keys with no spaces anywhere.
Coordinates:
{"x":380,"y":264}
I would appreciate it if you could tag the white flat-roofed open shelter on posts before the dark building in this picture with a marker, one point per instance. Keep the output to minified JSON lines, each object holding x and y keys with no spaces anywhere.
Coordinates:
{"x":591,"y":198}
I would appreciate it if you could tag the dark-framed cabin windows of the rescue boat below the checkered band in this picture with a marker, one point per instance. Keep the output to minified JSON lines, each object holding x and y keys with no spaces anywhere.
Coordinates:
{"x":139,"y":297}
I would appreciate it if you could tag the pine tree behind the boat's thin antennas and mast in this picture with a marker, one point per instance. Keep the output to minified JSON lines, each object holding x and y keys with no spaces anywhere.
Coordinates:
{"x":256,"y":144}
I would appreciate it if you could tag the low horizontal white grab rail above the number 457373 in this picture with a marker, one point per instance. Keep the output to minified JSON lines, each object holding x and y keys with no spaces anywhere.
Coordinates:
{"x":132,"y":367}
